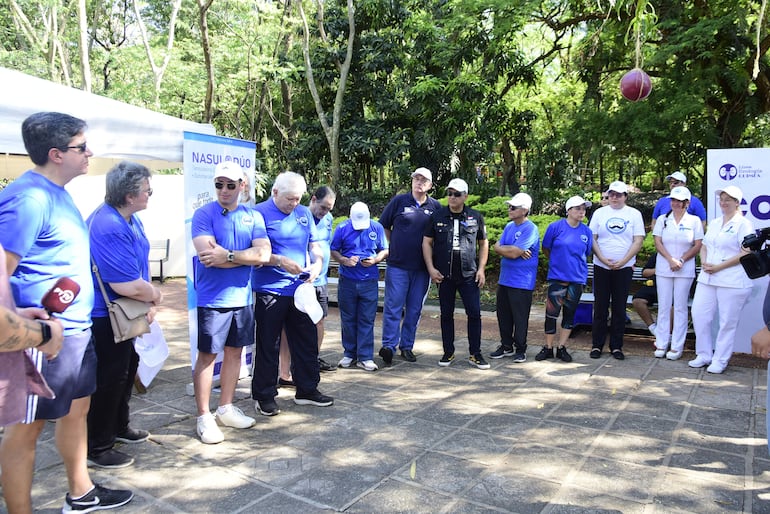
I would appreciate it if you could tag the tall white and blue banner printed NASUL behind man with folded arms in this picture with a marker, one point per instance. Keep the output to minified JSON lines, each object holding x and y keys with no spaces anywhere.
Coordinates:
{"x":202,"y":153}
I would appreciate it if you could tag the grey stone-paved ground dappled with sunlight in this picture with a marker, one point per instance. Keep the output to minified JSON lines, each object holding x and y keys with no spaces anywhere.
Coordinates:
{"x":642,"y":435}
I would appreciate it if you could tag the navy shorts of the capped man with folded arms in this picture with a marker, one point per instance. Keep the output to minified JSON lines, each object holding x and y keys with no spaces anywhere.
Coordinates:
{"x":220,"y":327}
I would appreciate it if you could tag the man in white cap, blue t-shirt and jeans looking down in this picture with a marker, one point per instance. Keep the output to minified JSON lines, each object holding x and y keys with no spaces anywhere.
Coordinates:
{"x":358,"y":244}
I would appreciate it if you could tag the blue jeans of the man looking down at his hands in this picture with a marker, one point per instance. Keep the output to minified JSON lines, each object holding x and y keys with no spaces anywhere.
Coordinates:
{"x":358,"y":308}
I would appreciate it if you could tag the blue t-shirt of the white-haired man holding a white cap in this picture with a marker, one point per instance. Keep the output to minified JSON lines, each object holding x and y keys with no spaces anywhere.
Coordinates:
{"x":290,"y":235}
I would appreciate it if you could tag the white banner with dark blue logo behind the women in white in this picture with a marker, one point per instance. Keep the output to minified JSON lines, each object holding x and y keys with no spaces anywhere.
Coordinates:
{"x":749,"y":169}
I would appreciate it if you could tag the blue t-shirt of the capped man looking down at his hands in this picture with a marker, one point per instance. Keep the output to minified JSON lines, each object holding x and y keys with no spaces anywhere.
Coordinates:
{"x":363,"y":243}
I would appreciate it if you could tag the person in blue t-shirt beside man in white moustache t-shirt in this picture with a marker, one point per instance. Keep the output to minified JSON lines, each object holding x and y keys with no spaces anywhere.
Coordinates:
{"x":567,"y":244}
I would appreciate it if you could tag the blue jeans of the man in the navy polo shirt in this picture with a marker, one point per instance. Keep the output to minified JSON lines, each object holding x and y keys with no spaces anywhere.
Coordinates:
{"x":405,"y":293}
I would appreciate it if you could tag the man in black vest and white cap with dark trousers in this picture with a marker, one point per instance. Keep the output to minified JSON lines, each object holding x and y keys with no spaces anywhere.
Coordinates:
{"x":455,"y":249}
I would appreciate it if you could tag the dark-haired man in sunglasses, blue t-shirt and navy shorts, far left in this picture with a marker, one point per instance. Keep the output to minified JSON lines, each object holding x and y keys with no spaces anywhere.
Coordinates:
{"x":45,"y":239}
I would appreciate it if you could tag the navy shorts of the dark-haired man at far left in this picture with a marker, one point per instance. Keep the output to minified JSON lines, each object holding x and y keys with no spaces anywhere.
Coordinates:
{"x":71,"y":375}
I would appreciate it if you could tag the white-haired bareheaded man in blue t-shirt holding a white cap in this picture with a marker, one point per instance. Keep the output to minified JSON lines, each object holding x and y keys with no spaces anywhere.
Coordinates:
{"x":296,"y":259}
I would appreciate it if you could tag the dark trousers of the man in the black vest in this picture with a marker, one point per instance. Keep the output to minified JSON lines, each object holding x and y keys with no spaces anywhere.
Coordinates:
{"x":469,"y":292}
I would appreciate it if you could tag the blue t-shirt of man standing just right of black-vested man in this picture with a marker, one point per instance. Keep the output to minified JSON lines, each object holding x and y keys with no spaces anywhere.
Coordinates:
{"x":520,"y":273}
